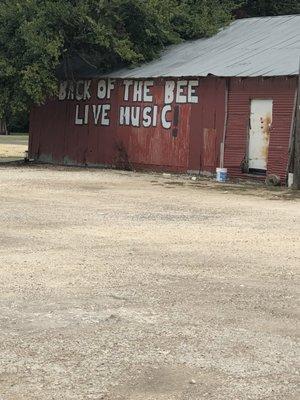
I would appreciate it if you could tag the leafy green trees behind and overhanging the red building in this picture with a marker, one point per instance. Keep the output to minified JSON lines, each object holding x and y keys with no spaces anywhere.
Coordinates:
{"x":42,"y":41}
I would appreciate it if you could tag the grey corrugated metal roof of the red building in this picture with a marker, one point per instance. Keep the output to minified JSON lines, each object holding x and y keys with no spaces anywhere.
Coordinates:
{"x":264,"y":46}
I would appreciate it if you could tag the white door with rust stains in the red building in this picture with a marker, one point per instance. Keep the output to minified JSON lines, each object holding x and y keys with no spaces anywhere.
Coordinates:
{"x":259,"y":135}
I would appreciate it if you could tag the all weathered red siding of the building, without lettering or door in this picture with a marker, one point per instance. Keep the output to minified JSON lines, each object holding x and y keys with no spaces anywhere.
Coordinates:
{"x":193,"y":141}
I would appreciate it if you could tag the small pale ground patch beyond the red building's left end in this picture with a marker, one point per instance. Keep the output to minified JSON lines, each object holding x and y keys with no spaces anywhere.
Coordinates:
{"x":12,"y":147}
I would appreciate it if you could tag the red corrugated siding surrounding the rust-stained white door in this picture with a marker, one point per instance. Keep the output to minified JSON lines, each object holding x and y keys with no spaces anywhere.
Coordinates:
{"x":241,"y":91}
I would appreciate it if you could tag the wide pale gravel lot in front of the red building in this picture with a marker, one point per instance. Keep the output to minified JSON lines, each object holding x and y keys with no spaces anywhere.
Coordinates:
{"x":129,"y":286}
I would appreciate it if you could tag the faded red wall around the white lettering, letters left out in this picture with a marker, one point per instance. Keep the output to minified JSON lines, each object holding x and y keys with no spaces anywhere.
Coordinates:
{"x":56,"y":138}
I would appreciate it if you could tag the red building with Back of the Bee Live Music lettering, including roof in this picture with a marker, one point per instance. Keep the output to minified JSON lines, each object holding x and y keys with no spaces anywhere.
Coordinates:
{"x":225,"y":101}
